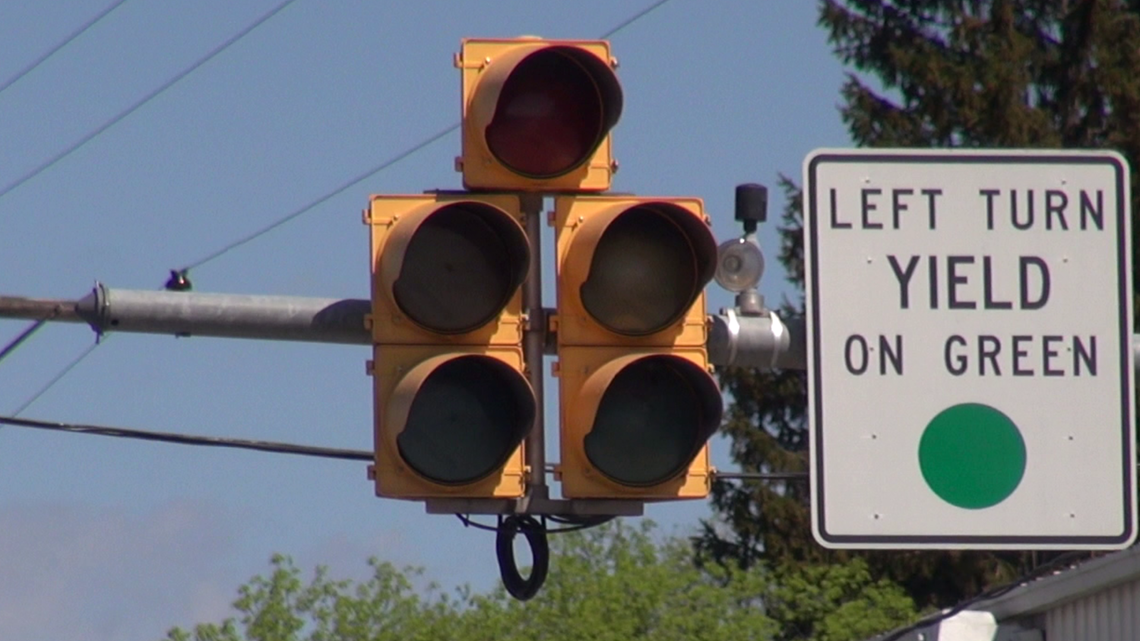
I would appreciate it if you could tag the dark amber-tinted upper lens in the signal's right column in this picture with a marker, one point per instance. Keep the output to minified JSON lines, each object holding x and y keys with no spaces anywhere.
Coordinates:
{"x":646,"y":273}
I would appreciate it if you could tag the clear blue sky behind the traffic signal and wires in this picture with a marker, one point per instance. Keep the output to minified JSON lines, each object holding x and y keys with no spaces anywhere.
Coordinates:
{"x":117,"y":540}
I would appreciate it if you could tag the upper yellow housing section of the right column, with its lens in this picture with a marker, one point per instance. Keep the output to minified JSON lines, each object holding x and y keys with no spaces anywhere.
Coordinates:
{"x":632,"y":272}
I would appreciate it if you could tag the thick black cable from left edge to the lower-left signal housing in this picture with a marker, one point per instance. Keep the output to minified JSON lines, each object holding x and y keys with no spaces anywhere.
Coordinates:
{"x":189,"y":440}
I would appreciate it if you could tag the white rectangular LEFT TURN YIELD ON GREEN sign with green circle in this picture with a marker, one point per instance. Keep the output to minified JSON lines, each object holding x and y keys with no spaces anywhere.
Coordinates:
{"x":971,"y":350}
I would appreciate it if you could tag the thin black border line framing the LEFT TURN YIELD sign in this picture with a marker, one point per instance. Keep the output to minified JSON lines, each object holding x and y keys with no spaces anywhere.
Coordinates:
{"x":1126,"y":330}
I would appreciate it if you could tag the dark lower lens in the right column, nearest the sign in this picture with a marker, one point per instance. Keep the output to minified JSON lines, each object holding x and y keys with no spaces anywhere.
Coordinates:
{"x":653,"y":420}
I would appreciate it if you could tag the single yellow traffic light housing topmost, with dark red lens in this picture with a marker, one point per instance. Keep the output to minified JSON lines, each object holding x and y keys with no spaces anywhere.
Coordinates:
{"x":538,"y":115}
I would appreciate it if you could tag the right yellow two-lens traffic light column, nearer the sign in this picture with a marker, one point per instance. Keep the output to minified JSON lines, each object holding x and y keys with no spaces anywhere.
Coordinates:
{"x":638,"y":401}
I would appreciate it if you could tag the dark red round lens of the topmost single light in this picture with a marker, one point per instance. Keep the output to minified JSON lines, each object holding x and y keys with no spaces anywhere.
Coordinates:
{"x":552,"y":113}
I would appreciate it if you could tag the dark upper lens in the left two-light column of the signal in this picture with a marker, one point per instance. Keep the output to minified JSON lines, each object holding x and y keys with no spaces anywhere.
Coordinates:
{"x":461,"y":267}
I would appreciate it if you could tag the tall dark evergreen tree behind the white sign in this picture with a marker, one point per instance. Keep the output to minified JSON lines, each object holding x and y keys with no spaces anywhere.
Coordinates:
{"x":929,"y":74}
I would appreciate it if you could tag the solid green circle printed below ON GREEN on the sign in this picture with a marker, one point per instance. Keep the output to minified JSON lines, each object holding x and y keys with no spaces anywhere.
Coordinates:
{"x":972,"y":456}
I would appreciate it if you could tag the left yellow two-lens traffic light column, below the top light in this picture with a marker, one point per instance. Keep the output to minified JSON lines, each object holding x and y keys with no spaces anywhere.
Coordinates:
{"x":452,"y":403}
